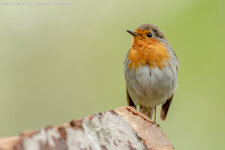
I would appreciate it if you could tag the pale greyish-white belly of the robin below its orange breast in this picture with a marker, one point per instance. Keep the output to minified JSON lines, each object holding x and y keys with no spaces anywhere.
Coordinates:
{"x":150,"y":87}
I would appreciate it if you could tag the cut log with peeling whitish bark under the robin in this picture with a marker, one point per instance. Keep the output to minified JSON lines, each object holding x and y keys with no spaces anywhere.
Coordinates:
{"x":119,"y":129}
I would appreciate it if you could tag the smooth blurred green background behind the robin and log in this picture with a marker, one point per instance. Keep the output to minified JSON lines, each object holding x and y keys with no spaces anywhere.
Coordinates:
{"x":64,"y":61}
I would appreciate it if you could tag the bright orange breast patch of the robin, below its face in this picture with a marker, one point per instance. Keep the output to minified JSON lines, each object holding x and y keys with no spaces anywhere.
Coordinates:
{"x":151,"y":52}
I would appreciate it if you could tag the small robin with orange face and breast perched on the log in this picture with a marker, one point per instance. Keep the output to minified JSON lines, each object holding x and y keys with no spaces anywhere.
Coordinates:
{"x":150,"y":69}
